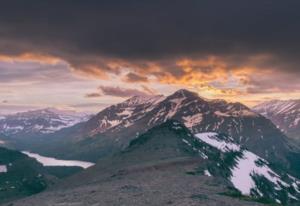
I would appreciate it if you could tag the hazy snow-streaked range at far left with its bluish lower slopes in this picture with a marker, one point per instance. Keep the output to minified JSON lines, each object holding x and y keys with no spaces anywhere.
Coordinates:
{"x":20,"y":130}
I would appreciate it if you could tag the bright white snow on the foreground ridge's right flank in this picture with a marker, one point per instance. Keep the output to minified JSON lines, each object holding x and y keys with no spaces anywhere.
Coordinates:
{"x":247,"y":166}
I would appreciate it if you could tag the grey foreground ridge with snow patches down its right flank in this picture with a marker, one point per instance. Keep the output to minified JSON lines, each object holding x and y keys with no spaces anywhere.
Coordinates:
{"x":169,"y":165}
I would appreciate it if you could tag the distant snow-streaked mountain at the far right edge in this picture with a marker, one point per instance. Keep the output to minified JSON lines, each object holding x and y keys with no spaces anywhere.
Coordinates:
{"x":284,"y":114}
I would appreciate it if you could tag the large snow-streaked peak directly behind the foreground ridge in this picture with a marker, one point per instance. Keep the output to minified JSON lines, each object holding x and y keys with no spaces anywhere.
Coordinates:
{"x":113,"y":128}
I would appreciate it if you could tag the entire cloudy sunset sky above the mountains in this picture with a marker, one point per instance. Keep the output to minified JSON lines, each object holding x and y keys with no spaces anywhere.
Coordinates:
{"x":86,"y":55}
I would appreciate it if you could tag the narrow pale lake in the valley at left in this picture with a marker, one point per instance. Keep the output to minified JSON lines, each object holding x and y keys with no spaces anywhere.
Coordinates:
{"x":49,"y":161}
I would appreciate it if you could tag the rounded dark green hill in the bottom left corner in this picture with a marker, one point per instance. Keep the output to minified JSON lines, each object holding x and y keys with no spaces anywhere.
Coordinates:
{"x":20,"y":175}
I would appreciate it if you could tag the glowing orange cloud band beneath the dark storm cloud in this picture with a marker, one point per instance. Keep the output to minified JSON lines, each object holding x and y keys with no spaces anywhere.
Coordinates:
{"x":212,"y":76}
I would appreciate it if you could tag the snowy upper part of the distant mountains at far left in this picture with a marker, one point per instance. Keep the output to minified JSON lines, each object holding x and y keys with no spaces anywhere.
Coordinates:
{"x":39,"y":122}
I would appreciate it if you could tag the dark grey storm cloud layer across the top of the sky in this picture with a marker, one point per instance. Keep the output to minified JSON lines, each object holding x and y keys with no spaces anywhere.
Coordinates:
{"x":89,"y":32}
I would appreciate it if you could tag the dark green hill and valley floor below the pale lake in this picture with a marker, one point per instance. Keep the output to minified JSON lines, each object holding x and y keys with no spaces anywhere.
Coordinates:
{"x":25,"y":176}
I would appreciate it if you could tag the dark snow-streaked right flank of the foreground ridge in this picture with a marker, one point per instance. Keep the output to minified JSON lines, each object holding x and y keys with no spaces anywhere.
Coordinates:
{"x":250,"y":174}
